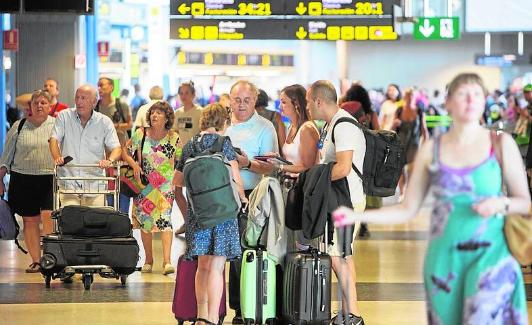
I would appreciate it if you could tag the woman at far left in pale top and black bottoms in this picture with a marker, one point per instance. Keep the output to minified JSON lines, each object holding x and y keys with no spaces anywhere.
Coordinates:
{"x":27,"y":159}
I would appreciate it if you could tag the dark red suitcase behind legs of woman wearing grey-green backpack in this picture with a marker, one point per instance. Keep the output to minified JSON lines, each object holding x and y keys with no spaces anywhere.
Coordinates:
{"x":184,"y":305}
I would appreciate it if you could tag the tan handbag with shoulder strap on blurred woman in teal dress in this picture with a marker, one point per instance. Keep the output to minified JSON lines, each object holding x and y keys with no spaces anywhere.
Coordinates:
{"x":517,"y":227}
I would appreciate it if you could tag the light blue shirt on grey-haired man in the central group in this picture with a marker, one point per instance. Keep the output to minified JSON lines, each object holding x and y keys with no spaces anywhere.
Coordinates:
{"x":255,"y":137}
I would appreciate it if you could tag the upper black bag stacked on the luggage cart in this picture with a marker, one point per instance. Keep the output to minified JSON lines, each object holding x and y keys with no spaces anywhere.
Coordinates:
{"x":81,"y":221}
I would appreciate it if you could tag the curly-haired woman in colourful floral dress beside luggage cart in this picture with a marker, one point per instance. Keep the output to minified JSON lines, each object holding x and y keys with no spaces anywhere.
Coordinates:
{"x":153,"y":207}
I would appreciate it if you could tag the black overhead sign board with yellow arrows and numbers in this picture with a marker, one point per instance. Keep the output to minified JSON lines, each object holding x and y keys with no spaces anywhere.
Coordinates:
{"x":282,"y":19}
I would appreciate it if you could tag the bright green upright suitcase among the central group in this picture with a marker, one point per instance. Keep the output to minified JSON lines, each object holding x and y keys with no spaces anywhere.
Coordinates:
{"x":258,"y":287}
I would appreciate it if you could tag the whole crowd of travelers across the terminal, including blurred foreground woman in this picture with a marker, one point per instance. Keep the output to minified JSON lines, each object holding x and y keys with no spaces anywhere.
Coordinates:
{"x":457,"y":160}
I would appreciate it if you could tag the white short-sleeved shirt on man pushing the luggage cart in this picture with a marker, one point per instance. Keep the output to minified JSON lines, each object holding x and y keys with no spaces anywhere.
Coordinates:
{"x":86,"y":145}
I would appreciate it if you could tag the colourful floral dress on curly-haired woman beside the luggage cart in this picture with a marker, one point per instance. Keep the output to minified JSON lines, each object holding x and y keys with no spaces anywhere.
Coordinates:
{"x":153,"y":207}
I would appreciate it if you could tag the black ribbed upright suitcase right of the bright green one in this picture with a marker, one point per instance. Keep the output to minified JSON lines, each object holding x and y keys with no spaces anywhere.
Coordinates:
{"x":307,"y":288}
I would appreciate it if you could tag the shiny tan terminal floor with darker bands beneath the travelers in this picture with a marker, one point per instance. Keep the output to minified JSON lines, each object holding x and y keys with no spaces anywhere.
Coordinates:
{"x":389,"y":286}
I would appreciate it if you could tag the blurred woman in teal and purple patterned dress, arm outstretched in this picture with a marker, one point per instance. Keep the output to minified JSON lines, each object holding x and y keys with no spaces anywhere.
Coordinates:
{"x":470,"y":276}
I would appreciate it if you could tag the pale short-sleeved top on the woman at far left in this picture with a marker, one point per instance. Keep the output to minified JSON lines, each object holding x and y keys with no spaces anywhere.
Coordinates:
{"x":31,"y":152}
